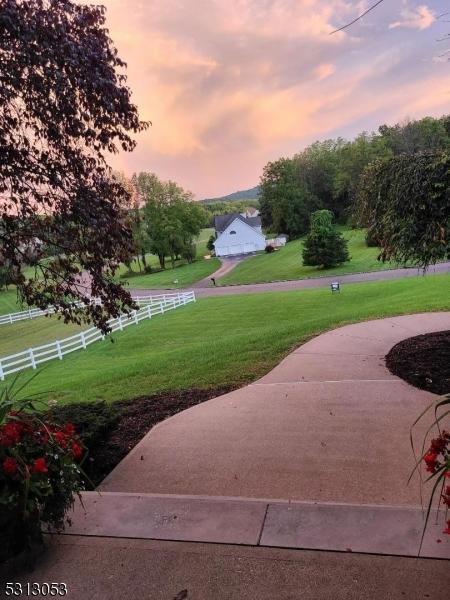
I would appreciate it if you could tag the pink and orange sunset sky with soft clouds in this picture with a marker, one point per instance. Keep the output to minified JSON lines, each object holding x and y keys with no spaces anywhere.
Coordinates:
{"x":232,"y":84}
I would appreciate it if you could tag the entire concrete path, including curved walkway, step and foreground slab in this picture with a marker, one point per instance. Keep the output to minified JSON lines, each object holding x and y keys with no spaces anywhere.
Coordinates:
{"x":330,"y":423}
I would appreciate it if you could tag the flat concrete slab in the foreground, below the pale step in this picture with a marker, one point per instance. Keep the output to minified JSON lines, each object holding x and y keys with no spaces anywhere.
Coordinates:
{"x":115,"y":569}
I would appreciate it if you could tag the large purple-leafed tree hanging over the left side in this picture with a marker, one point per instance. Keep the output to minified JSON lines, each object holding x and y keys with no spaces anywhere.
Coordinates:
{"x":64,"y":106}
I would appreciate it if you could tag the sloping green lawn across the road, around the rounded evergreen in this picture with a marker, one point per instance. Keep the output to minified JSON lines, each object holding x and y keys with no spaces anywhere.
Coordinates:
{"x":287,"y":262}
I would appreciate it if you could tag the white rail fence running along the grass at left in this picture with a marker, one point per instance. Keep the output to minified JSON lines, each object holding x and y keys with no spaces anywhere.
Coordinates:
{"x":150,"y":306}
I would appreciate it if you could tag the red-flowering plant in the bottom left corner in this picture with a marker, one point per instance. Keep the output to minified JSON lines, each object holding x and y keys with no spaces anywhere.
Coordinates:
{"x":40,"y":472}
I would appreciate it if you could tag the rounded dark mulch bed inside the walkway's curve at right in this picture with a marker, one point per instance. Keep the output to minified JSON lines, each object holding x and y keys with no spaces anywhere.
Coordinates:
{"x":423,"y":361}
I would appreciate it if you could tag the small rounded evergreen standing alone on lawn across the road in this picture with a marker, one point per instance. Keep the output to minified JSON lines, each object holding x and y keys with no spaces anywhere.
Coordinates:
{"x":324,"y":246}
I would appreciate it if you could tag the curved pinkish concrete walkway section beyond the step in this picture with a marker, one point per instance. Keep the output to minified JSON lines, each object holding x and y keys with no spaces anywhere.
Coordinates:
{"x":330,"y":423}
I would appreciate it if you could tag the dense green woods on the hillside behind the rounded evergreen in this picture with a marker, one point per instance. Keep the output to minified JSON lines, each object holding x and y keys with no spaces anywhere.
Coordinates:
{"x":328,"y":175}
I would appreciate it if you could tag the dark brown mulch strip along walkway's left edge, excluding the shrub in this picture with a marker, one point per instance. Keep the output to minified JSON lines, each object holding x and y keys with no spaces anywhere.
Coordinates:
{"x":137,"y":417}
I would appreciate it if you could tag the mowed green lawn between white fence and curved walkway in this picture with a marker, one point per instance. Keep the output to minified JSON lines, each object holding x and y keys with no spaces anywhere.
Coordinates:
{"x":226,"y":340}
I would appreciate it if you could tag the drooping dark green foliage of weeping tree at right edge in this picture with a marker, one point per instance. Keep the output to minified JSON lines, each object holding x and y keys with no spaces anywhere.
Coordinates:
{"x":405,"y":202}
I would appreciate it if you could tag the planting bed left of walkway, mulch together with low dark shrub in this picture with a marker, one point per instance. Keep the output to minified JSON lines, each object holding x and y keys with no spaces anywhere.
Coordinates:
{"x":110,"y":431}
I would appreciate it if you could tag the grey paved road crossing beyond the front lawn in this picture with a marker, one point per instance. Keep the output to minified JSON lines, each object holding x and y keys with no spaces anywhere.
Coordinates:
{"x":204,"y":288}
